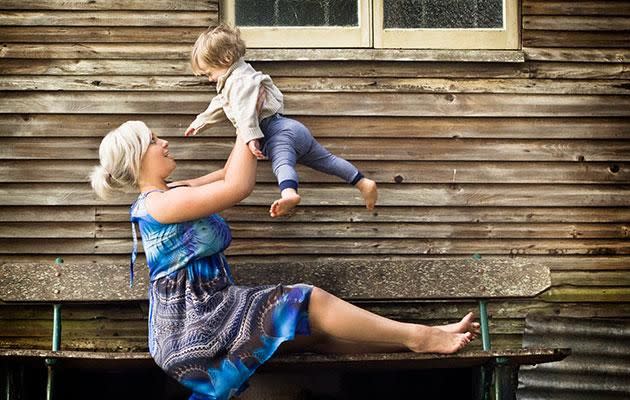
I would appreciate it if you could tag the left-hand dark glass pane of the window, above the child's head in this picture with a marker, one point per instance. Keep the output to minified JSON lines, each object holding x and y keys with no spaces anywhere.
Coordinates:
{"x":296,"y":12}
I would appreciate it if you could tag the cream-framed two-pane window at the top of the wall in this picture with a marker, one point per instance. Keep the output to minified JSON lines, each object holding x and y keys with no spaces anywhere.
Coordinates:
{"x":412,"y":24}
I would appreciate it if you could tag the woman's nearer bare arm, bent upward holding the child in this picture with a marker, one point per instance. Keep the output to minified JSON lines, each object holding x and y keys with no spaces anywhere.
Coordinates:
{"x":187,"y":203}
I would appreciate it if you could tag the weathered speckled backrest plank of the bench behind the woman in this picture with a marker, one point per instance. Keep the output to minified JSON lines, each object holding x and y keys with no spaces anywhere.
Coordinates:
{"x":426,"y":279}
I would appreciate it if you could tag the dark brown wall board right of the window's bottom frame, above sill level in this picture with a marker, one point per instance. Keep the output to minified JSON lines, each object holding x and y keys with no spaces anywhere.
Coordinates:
{"x":534,"y":38}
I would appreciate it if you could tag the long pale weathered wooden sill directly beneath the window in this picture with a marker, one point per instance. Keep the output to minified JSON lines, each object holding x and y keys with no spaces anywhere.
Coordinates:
{"x":505,"y":56}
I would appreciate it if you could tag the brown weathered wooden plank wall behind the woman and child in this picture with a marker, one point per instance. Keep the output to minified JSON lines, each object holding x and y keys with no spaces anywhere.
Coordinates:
{"x":501,"y":159}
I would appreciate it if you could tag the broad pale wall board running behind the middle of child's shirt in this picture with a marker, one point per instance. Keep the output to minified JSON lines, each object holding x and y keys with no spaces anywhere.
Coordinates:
{"x":334,"y":104}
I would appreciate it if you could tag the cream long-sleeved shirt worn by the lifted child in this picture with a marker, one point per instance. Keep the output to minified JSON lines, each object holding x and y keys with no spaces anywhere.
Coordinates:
{"x":237,"y":94}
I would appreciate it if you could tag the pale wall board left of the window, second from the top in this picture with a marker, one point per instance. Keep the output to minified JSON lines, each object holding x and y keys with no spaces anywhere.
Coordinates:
{"x":108,"y":18}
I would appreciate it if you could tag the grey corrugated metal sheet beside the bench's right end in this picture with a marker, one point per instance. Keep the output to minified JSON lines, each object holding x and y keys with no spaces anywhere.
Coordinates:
{"x":598,"y":368}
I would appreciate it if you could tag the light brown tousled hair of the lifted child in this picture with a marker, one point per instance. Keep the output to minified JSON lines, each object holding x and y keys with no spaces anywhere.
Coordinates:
{"x":218,"y":46}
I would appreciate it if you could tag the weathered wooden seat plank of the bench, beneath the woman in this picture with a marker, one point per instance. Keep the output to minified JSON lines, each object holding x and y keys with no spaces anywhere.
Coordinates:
{"x":405,"y":360}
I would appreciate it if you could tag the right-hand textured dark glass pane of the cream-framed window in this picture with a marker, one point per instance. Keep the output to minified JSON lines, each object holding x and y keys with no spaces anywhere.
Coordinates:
{"x":456,"y":14}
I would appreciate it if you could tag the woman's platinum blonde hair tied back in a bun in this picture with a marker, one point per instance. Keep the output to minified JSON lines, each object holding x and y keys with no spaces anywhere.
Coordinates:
{"x":120,"y":154}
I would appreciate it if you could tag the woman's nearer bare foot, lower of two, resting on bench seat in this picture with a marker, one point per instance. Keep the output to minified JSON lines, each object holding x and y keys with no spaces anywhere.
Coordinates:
{"x":428,"y":339}
